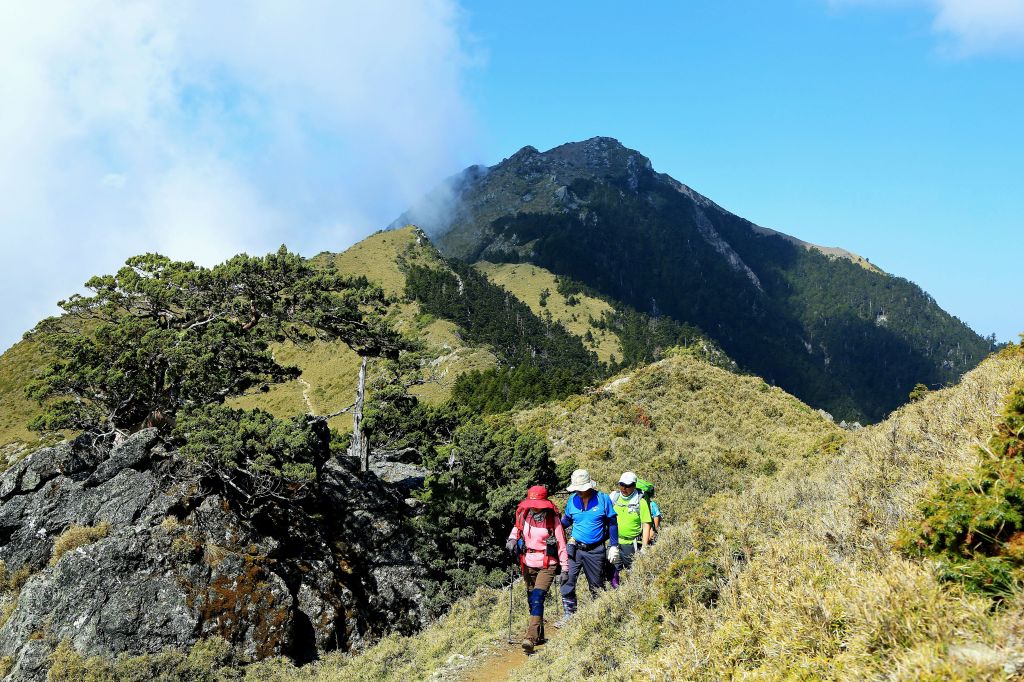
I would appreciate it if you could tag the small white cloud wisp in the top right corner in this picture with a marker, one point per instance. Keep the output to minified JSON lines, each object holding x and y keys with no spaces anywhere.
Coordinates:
{"x":973,"y":27}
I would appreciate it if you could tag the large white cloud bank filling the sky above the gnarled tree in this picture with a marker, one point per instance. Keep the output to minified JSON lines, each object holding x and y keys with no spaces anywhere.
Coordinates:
{"x":203,"y":130}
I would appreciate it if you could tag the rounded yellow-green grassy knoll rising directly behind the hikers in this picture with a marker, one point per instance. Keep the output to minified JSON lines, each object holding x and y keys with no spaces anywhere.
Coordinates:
{"x":692,"y":429}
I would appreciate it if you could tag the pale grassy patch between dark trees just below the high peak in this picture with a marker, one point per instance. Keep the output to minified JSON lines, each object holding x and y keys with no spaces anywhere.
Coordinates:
{"x":527,"y":282}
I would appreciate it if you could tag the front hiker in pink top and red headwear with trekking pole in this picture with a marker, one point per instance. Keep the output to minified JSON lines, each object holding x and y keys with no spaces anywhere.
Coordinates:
{"x":539,"y":541}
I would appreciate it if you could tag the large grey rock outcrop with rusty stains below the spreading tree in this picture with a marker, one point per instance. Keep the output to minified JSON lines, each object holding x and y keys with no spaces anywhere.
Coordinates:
{"x":180,"y":564}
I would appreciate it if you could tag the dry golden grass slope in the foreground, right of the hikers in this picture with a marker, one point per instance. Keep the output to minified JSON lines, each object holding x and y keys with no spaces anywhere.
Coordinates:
{"x":809,"y":585}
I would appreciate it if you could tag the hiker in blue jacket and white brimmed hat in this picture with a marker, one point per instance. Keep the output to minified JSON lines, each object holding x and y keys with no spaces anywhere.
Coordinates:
{"x":590,"y":515}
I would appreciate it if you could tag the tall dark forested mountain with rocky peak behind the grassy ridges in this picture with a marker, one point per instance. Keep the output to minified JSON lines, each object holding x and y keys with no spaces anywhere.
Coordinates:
{"x":819,"y":322}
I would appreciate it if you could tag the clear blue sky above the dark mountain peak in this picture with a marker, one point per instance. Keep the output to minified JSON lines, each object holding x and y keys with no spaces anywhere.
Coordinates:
{"x":851,"y":125}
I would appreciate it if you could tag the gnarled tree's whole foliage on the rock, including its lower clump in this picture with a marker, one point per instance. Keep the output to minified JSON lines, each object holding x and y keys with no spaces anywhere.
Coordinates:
{"x":164,"y":344}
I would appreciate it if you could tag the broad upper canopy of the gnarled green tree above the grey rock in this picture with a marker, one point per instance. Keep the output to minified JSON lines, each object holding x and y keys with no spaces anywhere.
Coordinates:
{"x":162,"y":335}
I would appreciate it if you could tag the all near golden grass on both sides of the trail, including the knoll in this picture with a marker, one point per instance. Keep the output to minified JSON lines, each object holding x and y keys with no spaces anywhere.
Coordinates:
{"x":780,"y":571}
